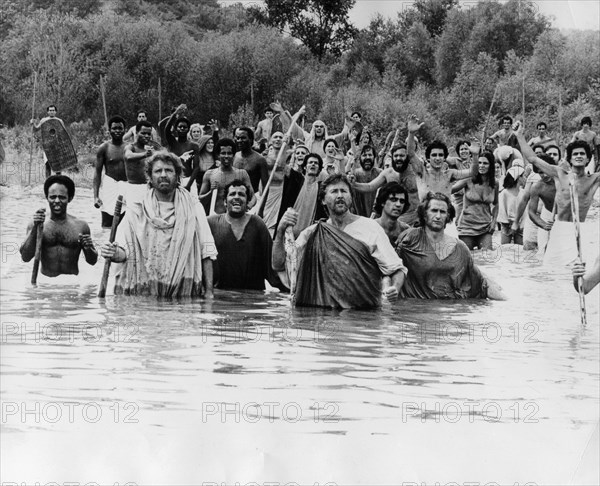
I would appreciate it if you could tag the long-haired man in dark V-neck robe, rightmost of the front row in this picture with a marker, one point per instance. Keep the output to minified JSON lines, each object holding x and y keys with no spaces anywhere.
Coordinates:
{"x":439,"y":265}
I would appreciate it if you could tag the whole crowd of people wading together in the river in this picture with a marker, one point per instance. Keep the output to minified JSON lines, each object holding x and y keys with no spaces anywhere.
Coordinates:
{"x":327,"y":216}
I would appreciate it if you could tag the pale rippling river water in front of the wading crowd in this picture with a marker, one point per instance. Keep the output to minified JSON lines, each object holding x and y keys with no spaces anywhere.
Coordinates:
{"x":245,"y":389}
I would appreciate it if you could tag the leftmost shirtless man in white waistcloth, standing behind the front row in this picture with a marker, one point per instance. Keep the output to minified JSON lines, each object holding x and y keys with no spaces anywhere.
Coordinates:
{"x":111,"y":158}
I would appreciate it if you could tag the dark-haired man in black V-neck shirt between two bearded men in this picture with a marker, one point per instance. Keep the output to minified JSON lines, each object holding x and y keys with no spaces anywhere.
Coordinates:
{"x":243,"y":242}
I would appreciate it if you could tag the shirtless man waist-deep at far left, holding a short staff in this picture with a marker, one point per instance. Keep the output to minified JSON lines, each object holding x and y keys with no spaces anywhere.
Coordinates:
{"x":64,"y":236}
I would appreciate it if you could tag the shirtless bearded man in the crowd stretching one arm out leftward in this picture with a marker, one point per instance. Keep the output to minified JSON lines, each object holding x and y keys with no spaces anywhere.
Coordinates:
{"x":403,"y":172}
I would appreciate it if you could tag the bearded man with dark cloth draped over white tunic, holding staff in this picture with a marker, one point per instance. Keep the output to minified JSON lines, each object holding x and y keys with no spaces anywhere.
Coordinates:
{"x":342,"y":261}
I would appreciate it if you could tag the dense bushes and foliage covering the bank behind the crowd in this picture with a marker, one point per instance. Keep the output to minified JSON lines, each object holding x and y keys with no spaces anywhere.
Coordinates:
{"x":436,"y":59}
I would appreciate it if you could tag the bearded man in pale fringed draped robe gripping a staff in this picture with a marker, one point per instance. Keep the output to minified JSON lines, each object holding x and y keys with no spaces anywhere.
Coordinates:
{"x":164,"y":244}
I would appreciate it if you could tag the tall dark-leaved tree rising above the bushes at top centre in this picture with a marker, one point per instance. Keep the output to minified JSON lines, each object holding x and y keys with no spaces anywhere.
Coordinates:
{"x":321,"y":25}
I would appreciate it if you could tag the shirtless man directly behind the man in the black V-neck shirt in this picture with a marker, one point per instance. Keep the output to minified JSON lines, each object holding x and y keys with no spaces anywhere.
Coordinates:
{"x":220,"y":177}
